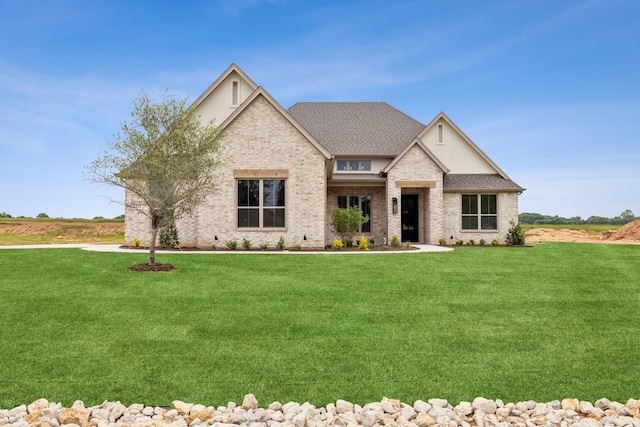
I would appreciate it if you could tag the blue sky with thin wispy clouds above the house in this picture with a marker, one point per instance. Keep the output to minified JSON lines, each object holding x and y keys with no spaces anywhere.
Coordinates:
{"x":549,"y":89}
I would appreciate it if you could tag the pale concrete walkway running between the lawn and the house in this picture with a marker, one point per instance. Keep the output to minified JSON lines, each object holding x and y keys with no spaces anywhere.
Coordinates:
{"x":117,"y":248}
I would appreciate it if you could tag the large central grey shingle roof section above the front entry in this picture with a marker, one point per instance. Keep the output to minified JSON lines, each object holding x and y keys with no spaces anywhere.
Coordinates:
{"x":357,"y":128}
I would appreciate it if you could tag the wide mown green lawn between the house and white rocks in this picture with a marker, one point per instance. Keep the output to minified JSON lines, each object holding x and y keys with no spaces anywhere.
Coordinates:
{"x":542,"y":323}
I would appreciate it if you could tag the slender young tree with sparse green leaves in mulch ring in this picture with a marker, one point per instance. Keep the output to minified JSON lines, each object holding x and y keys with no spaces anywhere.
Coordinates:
{"x":165,"y":157}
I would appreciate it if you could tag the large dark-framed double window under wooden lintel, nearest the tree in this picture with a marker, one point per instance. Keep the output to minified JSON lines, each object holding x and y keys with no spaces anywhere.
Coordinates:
{"x":261,"y":203}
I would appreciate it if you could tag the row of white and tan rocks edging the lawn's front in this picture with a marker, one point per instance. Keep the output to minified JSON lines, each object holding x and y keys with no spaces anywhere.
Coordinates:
{"x":386,"y":413}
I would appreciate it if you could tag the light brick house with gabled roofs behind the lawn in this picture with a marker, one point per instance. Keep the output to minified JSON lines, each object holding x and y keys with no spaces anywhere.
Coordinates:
{"x":283,"y":171}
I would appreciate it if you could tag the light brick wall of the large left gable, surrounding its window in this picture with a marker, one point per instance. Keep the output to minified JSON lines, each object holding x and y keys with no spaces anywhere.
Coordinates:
{"x":260,"y":139}
